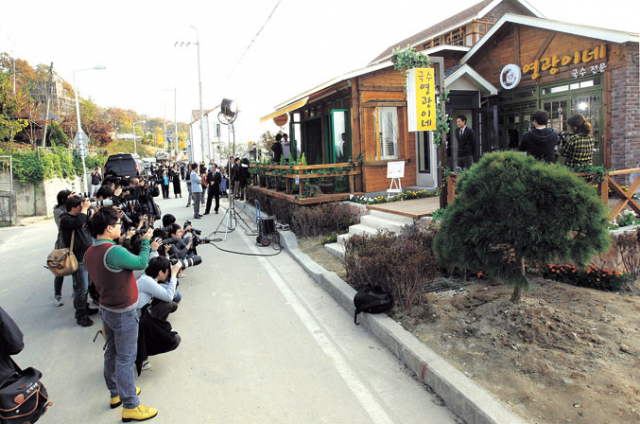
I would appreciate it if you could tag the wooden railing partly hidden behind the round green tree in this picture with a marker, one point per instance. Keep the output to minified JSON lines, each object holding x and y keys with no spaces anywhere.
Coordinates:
{"x":626,"y":197}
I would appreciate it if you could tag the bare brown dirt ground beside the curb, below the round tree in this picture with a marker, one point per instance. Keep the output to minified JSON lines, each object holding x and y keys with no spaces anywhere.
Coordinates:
{"x":563,"y":355}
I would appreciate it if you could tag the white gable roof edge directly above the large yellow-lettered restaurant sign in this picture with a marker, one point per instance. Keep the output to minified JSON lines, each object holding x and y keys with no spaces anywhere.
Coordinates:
{"x":604,"y":34}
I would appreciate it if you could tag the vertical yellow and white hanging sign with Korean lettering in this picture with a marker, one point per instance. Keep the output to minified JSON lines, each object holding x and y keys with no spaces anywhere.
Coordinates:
{"x":421,"y":99}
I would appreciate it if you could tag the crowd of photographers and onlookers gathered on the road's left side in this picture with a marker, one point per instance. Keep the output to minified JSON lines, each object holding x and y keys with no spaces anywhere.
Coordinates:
{"x":130,"y":260}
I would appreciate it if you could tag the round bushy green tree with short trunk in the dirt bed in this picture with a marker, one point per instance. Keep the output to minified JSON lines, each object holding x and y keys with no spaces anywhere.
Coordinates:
{"x":511,"y":210}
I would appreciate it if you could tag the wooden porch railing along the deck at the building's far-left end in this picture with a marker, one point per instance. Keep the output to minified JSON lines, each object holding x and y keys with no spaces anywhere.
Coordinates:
{"x":305,"y":172}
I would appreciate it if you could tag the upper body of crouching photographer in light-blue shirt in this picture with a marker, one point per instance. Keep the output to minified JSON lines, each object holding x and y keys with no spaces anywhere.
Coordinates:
{"x":159,"y":283}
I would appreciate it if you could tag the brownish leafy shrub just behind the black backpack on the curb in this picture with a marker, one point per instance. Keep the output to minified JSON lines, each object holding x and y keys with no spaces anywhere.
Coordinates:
{"x":402,"y":263}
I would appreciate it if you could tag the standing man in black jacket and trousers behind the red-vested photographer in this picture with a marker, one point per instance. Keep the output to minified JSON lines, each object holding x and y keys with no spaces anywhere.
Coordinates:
{"x":74,"y":222}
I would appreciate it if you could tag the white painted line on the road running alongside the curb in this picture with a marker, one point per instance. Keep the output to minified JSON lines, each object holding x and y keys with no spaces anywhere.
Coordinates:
{"x":364,"y":396}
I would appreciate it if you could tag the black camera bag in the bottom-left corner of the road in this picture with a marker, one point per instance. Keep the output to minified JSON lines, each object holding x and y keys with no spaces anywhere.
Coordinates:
{"x":23,"y":397}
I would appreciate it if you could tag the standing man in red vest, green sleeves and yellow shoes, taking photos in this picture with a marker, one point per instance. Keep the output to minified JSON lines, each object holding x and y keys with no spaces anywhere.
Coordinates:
{"x":111,"y":268}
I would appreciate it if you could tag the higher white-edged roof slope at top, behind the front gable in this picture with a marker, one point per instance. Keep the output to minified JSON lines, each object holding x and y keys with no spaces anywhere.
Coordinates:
{"x":474,"y":12}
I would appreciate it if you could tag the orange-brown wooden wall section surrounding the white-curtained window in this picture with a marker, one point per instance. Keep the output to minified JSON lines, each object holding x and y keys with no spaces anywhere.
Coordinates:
{"x":383,"y":88}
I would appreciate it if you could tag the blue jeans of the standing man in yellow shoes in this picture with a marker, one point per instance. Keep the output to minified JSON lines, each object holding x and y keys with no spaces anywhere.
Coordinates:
{"x":121,"y":333}
